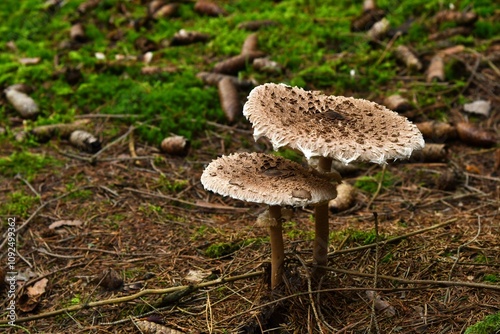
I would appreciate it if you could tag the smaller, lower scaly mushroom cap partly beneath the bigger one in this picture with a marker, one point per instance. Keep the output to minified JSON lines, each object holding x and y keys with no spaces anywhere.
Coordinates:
{"x":264,"y":178}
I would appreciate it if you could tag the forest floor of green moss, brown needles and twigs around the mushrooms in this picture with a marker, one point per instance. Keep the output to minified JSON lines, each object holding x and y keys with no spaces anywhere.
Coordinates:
{"x":128,"y":220}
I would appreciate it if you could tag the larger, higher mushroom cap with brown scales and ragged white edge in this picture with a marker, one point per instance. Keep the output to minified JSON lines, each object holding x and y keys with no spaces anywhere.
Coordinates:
{"x":338,"y":127}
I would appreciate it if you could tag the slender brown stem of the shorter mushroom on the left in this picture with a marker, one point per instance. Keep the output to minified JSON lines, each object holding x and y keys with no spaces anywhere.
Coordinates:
{"x":277,"y":248}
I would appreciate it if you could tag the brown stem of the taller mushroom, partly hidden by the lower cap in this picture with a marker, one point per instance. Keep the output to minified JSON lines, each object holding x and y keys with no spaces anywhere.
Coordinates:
{"x":321,"y":235}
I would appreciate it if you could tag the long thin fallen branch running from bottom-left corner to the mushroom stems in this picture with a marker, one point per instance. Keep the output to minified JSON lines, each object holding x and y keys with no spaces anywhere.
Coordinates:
{"x":142,"y":293}
